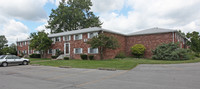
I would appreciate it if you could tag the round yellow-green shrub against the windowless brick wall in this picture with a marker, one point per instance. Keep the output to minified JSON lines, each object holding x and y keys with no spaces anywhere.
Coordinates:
{"x":138,"y":50}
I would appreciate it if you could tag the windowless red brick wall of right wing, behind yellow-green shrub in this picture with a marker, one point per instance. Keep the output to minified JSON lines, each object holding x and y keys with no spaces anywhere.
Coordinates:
{"x":150,"y":41}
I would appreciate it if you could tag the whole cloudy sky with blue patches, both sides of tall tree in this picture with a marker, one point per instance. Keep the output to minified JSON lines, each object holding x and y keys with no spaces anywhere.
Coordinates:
{"x":18,"y":18}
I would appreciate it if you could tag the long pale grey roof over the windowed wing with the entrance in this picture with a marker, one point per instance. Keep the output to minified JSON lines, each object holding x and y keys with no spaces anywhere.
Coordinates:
{"x":85,"y":30}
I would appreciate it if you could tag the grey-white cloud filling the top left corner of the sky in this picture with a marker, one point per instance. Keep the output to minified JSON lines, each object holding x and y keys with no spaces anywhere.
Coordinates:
{"x":23,"y":9}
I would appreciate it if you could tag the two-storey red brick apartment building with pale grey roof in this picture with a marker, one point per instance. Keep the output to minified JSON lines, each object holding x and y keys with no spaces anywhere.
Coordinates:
{"x":73,"y":43}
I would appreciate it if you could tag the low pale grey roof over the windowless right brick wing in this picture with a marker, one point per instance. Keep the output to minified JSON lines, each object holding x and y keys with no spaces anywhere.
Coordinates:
{"x":155,"y":30}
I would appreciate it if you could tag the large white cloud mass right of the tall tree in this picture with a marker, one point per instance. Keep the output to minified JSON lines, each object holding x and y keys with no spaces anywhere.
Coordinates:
{"x":177,"y":14}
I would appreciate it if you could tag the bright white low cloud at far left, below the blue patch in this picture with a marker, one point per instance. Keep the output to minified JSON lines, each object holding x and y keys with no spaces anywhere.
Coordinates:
{"x":14,"y":31}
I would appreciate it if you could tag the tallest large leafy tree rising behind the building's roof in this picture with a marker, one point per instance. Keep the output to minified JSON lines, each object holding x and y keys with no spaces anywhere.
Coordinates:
{"x":74,"y":15}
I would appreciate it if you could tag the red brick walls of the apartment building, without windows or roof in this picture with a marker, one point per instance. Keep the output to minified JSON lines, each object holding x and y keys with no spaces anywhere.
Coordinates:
{"x":126,"y":42}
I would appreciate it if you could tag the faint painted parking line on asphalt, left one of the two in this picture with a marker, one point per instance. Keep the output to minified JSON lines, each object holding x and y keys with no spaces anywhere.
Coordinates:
{"x":66,"y":75}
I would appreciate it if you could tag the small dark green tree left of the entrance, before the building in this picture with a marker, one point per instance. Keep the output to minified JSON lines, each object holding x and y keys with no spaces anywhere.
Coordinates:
{"x":40,"y":42}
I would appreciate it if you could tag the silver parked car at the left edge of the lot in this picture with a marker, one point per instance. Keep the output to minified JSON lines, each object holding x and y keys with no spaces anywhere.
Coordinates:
{"x":12,"y":59}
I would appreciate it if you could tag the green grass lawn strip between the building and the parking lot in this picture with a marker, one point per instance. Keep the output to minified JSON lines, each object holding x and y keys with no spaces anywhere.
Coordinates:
{"x":121,"y":64}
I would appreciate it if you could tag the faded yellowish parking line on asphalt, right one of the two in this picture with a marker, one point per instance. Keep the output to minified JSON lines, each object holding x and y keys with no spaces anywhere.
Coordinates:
{"x":107,"y":77}
